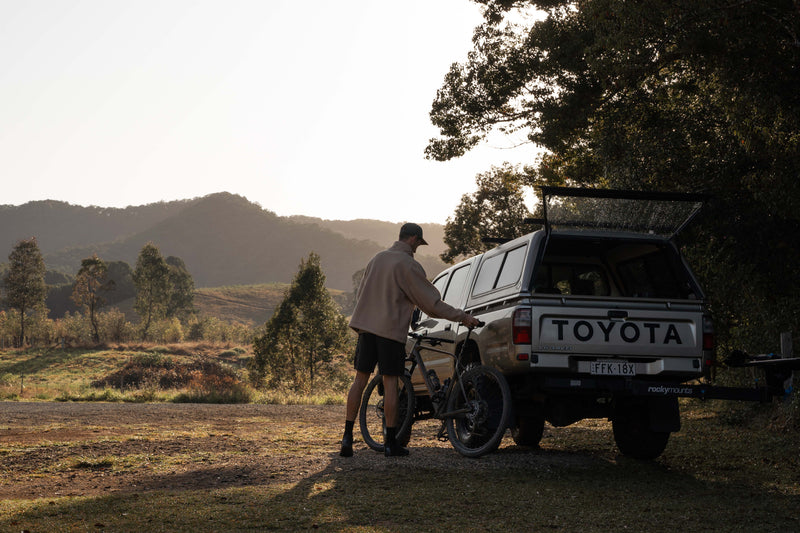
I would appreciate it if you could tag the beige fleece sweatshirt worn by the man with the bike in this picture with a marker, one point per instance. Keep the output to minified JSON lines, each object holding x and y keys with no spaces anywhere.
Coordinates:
{"x":393,"y":284}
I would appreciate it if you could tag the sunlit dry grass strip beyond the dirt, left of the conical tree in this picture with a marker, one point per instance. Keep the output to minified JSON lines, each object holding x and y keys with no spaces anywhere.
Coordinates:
{"x":128,"y":372}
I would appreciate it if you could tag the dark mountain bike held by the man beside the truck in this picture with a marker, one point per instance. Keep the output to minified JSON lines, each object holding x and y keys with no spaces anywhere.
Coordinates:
{"x":474,"y":405}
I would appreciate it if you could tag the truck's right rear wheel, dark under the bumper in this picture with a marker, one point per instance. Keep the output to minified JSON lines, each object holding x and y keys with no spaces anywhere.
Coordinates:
{"x":634,"y":435}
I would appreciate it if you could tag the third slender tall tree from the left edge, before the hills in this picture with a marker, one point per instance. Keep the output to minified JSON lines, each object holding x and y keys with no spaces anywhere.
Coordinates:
{"x":151,"y":279}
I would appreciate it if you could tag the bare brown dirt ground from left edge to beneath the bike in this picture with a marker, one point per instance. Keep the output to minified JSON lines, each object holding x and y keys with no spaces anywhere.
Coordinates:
{"x":50,"y":449}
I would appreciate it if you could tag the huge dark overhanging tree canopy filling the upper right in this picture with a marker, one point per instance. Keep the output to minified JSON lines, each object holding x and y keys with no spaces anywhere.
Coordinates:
{"x":673,"y":95}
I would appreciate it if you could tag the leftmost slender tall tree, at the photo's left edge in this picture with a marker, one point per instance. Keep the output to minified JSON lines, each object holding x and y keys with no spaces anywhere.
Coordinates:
{"x":24,"y":281}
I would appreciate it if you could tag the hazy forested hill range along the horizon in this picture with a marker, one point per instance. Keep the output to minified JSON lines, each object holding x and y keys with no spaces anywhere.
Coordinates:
{"x":223,"y":238}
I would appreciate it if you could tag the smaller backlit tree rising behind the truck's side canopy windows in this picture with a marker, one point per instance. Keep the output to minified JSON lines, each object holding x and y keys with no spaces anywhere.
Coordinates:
{"x":495,"y":211}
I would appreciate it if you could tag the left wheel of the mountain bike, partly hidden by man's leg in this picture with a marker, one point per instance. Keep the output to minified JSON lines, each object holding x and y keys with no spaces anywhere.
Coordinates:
{"x":371,"y":418}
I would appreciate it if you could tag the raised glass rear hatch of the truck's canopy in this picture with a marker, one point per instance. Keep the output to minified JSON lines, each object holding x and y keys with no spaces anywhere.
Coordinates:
{"x":663,"y":214}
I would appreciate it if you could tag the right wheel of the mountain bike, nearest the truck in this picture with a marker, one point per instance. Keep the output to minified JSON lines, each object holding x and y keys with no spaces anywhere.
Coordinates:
{"x":484,"y":404}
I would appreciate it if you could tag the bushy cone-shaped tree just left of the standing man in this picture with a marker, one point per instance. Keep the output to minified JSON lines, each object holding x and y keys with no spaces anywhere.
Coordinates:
{"x":305,"y":332}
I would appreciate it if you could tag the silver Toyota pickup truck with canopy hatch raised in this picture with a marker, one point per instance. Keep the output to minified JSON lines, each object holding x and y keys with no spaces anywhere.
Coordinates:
{"x":592,"y":316}
